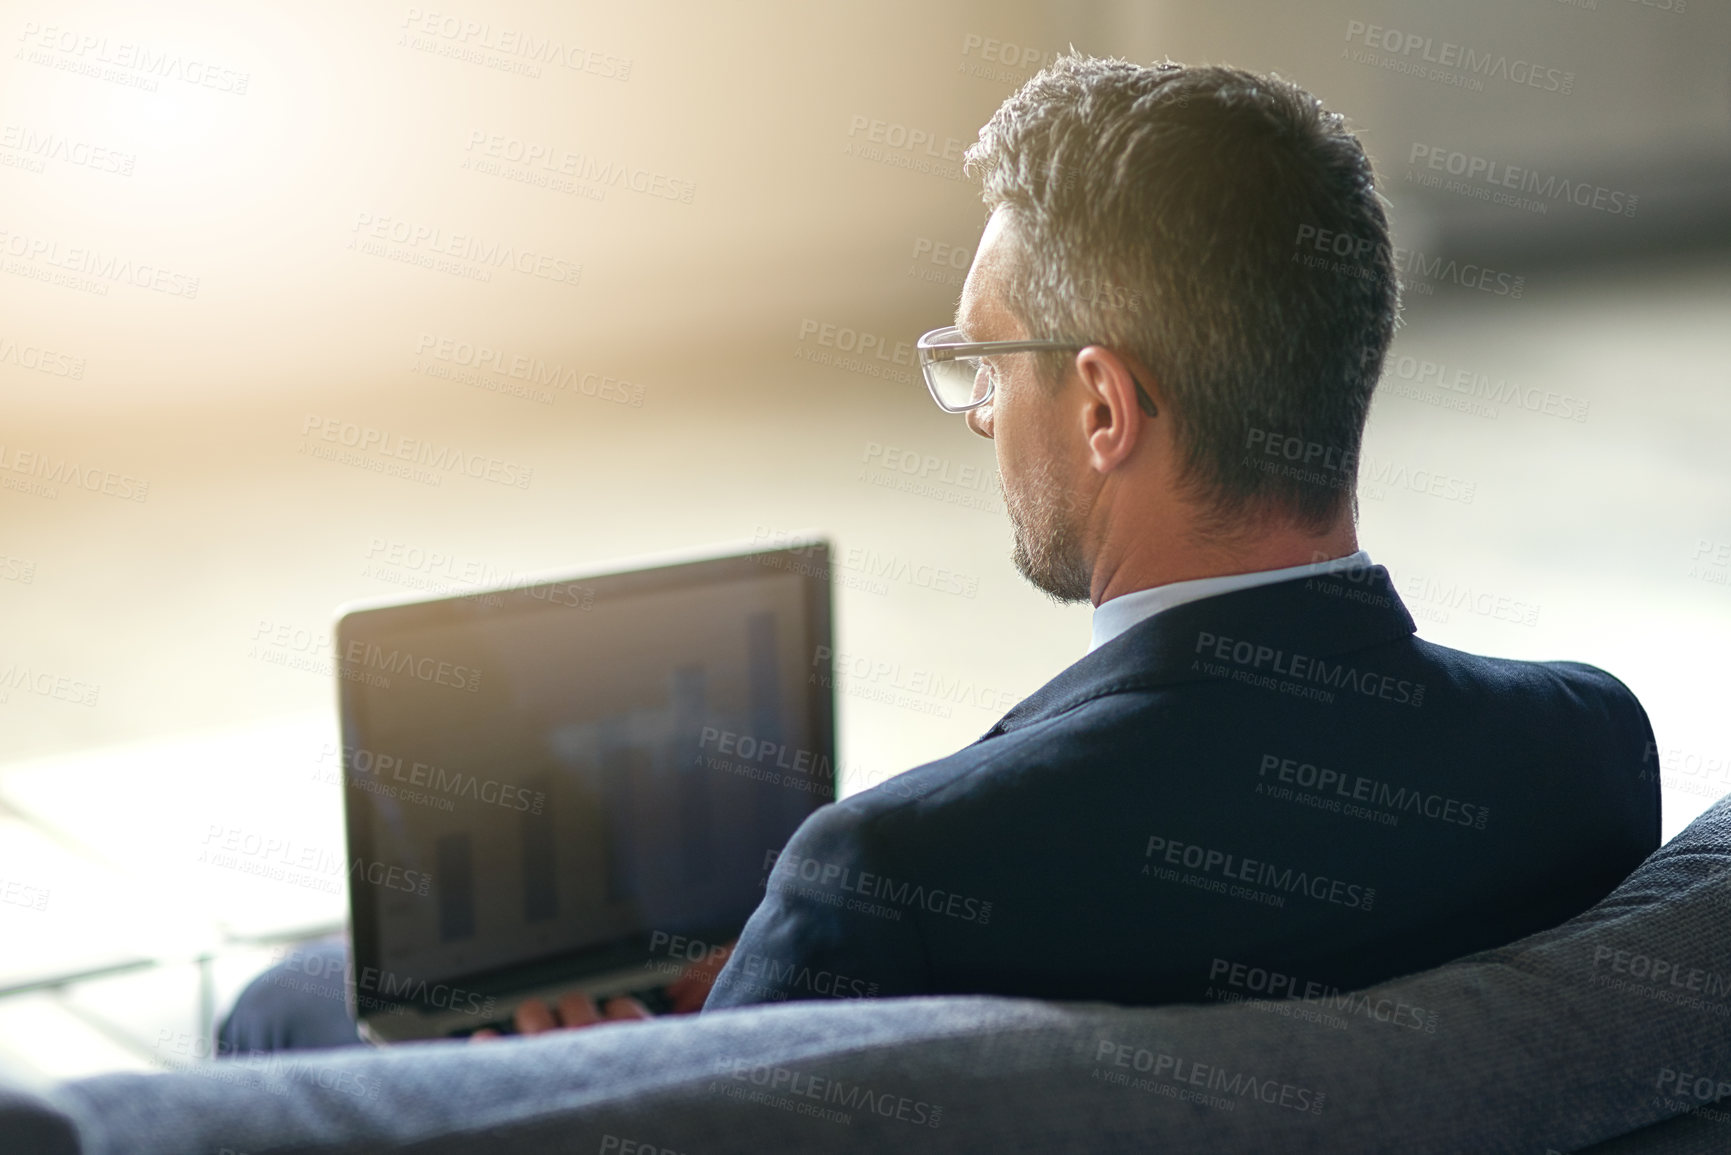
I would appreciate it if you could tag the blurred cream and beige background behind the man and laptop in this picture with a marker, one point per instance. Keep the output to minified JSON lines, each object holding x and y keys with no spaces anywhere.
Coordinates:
{"x":652,"y":274}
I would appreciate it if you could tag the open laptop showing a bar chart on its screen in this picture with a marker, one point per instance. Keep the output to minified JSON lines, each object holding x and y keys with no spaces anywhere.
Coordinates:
{"x":576,"y":784}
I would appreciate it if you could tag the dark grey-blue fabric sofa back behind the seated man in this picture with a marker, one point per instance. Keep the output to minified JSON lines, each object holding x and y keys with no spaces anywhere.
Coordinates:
{"x":1611,"y":1033}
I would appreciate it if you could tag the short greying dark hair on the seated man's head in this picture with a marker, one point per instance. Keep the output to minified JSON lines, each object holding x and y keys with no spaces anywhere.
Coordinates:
{"x":1164,"y":212}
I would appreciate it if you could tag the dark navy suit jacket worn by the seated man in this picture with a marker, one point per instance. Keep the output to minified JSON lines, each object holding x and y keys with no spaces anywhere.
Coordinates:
{"x":1278,"y":790}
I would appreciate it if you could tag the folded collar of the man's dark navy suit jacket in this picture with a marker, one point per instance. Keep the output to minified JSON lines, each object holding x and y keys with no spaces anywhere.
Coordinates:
{"x":1316,"y":617}
